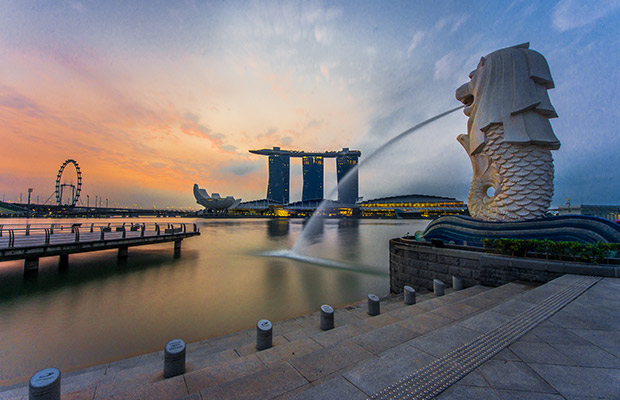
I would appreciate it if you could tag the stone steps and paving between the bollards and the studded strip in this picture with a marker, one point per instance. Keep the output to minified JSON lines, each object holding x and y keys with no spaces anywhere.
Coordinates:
{"x":368,"y":352}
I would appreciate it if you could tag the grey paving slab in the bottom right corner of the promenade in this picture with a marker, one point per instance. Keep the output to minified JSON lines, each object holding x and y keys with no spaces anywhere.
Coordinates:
{"x":573,"y":381}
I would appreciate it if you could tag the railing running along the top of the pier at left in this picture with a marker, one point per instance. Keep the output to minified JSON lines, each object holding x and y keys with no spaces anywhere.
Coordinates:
{"x":20,"y":235}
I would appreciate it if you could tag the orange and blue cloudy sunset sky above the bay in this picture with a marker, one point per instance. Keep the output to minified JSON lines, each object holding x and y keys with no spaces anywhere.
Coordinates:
{"x":151,"y":97}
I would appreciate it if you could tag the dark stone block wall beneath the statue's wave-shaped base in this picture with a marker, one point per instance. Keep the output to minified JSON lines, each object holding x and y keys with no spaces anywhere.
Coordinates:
{"x":417,"y":263}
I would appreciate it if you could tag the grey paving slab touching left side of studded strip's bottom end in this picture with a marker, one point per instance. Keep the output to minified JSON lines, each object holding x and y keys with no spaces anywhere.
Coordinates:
{"x":374,"y":375}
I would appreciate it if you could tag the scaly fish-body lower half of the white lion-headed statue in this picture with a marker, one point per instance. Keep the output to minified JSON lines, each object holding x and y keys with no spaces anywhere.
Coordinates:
{"x":521,"y":176}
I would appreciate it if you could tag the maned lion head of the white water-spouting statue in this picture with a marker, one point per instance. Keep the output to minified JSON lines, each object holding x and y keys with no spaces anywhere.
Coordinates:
{"x":509,"y":87}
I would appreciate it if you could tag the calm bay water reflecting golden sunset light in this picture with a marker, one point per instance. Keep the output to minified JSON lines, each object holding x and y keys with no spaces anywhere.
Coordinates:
{"x":102,"y":309}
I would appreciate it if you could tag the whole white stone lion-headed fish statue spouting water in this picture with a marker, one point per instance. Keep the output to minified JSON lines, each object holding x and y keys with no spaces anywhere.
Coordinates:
{"x":509,"y":138}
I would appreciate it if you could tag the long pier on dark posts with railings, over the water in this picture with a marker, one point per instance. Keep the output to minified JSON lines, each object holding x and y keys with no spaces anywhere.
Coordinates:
{"x":31,"y":242}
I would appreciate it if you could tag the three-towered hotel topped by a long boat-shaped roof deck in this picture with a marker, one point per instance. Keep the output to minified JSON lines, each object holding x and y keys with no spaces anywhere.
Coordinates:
{"x":313,"y":172}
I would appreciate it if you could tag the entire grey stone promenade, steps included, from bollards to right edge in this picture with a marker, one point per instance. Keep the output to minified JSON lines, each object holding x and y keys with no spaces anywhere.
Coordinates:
{"x":572,"y":353}
